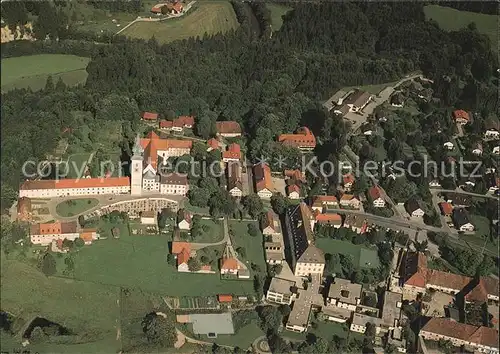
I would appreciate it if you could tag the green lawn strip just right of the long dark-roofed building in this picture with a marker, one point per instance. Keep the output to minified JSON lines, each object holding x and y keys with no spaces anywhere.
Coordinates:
{"x":363,"y":257}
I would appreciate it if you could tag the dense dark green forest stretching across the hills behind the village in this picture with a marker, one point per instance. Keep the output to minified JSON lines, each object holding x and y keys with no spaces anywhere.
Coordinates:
{"x":270,"y":85}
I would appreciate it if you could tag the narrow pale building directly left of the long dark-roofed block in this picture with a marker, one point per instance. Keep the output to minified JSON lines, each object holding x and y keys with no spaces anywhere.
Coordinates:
{"x":273,"y":243}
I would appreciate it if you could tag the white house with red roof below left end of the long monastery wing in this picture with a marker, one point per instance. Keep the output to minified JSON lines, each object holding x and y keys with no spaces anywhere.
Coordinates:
{"x":44,"y":234}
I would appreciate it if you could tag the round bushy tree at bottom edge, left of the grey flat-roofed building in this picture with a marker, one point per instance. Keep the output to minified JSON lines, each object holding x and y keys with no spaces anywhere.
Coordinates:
{"x":159,"y":330}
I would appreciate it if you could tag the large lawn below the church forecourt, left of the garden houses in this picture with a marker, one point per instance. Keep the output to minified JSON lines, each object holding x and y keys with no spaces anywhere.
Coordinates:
{"x":140,"y":262}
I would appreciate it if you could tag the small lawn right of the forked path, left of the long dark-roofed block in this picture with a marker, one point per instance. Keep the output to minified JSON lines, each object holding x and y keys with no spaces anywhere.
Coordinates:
{"x":253,"y":246}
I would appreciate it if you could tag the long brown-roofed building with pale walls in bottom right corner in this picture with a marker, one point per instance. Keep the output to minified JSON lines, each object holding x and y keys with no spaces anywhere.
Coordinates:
{"x":480,"y":339}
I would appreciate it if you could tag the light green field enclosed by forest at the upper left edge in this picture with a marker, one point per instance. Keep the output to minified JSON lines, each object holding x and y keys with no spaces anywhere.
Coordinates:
{"x":33,"y":70}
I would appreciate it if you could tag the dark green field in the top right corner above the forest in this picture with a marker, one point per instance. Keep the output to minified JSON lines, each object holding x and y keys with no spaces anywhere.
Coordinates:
{"x":451,"y":20}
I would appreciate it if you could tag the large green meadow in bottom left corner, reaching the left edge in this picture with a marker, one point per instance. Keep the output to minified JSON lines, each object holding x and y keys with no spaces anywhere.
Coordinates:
{"x":84,"y":308}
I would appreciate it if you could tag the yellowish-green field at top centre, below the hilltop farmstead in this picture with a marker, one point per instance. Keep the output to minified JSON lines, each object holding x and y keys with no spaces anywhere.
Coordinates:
{"x":205,"y":17}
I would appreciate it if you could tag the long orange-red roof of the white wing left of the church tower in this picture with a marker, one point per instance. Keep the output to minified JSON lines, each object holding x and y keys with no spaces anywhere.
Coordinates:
{"x":77,"y":183}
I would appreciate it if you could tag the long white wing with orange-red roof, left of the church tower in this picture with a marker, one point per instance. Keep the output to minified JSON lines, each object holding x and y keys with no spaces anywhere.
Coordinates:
{"x":74,"y":187}
